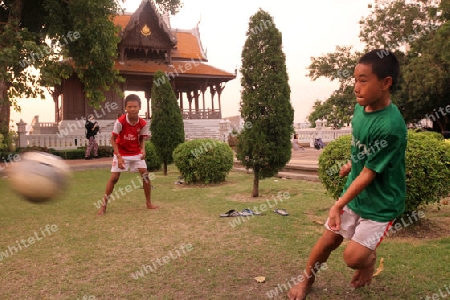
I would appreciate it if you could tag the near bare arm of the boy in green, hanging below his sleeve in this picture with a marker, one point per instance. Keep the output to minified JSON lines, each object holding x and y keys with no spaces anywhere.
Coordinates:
{"x":357,"y":186}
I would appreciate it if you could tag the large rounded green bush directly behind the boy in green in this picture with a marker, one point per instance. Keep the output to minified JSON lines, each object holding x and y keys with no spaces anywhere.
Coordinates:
{"x":427,"y":168}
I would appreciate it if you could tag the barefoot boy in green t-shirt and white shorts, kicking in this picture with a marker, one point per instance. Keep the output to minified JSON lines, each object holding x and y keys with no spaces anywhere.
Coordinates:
{"x":374,"y":194}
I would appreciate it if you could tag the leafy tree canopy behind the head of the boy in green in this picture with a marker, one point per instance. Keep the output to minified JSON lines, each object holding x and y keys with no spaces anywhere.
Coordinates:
{"x":418,"y":33}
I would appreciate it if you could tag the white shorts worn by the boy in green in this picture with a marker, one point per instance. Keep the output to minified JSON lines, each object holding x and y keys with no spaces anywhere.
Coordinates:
{"x":363,"y":231}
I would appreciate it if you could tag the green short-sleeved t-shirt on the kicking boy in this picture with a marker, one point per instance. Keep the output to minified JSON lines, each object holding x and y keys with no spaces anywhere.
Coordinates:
{"x":379,"y":143}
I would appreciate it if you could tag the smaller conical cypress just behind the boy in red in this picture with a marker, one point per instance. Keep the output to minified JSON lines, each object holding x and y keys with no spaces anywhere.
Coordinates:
{"x":167,"y":127}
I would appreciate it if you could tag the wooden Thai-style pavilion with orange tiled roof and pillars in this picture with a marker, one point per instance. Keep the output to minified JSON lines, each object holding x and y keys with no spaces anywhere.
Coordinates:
{"x":148,"y":44}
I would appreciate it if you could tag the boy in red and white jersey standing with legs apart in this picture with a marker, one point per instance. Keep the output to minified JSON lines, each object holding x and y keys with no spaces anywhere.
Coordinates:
{"x":127,"y":140}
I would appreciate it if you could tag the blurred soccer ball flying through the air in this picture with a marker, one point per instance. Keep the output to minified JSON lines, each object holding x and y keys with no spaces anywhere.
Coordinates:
{"x":38,"y":176}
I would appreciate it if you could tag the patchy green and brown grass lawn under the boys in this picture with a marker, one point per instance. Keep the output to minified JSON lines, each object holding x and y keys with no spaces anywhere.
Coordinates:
{"x":184,"y":250}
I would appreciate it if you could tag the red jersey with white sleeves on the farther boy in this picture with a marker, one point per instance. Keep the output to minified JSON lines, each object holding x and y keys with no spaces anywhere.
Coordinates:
{"x":128,"y":135}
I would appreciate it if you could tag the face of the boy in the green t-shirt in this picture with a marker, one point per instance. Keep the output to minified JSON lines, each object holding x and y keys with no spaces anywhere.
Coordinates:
{"x":369,"y":89}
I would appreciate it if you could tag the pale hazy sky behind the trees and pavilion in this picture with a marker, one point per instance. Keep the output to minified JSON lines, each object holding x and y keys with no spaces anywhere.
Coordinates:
{"x":309,"y":29}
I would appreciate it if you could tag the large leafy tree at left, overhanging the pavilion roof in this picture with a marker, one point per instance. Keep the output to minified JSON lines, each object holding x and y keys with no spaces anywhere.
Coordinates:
{"x":39,"y":33}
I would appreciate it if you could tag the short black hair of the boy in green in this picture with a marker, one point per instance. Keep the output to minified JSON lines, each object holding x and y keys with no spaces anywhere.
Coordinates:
{"x":383,"y":65}
